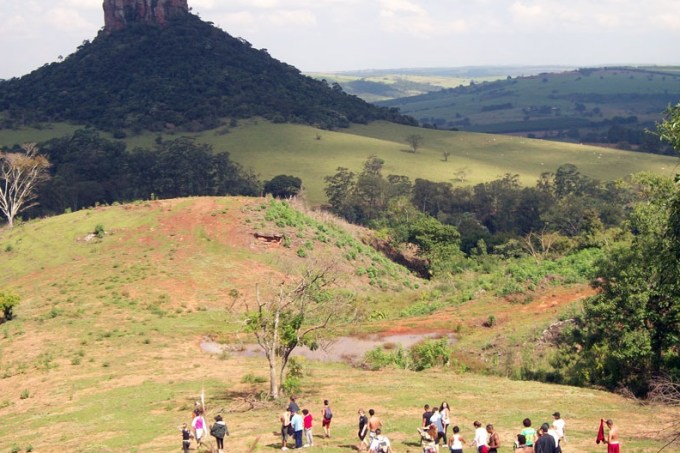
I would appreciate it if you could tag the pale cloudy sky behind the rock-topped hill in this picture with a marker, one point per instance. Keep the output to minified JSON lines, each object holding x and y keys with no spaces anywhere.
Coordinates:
{"x":343,"y":35}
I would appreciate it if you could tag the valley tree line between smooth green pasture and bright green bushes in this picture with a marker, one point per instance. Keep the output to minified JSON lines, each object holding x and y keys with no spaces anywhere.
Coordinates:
{"x":564,"y":202}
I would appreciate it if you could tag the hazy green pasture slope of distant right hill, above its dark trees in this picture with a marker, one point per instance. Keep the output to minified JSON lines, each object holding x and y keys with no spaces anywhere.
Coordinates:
{"x":615,"y":91}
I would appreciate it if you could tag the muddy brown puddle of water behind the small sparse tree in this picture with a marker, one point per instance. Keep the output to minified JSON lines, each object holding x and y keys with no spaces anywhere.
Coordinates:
{"x":342,"y":349}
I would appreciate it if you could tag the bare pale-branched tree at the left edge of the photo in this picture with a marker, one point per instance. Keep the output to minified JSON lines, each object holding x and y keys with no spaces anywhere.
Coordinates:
{"x":20,"y":174}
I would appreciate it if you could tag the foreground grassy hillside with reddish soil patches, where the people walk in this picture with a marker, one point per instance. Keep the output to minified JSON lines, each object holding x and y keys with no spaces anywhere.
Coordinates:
{"x":104,"y":353}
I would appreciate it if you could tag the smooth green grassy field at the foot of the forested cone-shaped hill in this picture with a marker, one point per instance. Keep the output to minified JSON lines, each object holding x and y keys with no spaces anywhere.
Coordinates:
{"x":311,"y":154}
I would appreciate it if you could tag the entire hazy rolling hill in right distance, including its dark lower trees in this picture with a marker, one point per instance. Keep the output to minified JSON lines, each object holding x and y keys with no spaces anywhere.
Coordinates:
{"x":585,"y":101}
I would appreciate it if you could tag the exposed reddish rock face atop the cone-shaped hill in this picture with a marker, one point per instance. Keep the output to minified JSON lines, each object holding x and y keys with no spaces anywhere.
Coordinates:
{"x":119,"y":13}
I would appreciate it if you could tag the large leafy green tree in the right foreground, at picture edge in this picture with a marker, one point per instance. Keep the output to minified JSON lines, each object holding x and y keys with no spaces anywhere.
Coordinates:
{"x":629,"y":334}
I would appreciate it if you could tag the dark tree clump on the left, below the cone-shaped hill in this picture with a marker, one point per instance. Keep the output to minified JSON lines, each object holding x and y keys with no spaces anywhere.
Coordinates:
{"x":88,"y":170}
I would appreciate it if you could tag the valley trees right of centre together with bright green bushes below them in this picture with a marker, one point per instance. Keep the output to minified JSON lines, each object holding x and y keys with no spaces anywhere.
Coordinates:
{"x":565,"y":210}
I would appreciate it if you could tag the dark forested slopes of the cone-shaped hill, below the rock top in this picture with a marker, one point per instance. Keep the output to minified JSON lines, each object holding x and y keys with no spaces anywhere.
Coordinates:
{"x":189,"y":75}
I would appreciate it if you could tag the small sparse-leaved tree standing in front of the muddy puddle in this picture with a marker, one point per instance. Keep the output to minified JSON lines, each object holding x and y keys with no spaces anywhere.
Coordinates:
{"x":292,"y":317}
